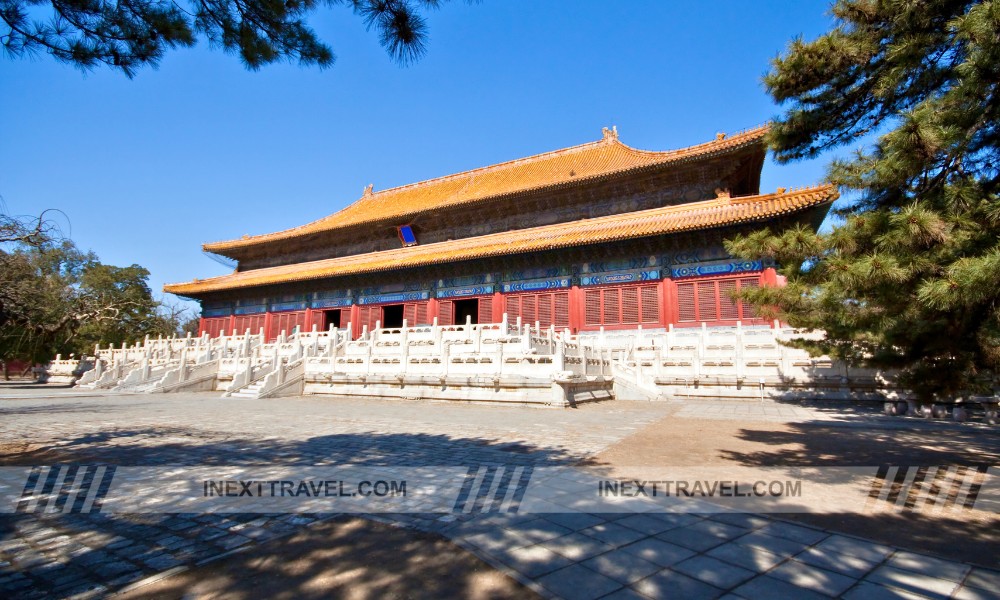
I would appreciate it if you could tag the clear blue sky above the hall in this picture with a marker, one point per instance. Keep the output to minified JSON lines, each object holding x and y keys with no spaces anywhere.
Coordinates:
{"x":148,"y":169}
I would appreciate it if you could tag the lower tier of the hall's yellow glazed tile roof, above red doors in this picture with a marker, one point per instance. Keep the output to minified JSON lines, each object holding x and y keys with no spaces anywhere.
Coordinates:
{"x":658,"y":221}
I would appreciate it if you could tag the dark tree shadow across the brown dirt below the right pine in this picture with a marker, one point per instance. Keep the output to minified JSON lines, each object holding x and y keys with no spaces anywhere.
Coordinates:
{"x":954,"y":532}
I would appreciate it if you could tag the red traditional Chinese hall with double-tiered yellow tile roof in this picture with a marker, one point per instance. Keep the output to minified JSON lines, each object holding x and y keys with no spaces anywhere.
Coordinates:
{"x":599,"y":235}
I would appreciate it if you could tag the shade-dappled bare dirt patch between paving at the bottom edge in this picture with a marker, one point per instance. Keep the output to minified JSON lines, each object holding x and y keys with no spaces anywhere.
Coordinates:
{"x":346,"y":557}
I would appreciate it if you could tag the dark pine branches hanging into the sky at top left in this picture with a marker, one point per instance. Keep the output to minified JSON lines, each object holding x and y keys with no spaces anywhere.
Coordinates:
{"x":128,"y":35}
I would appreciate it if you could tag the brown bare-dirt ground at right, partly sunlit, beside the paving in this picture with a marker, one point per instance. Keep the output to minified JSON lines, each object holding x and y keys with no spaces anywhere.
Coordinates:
{"x":815,"y":447}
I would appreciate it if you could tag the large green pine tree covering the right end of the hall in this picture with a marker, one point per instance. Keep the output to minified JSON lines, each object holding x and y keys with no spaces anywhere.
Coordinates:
{"x":910,"y":280}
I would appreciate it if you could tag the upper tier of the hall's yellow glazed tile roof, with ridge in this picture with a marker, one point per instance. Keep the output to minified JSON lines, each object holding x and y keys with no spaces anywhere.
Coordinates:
{"x":570,"y":165}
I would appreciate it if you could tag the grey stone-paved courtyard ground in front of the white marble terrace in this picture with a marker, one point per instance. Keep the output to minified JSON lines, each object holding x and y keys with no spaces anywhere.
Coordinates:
{"x":570,"y":555}
